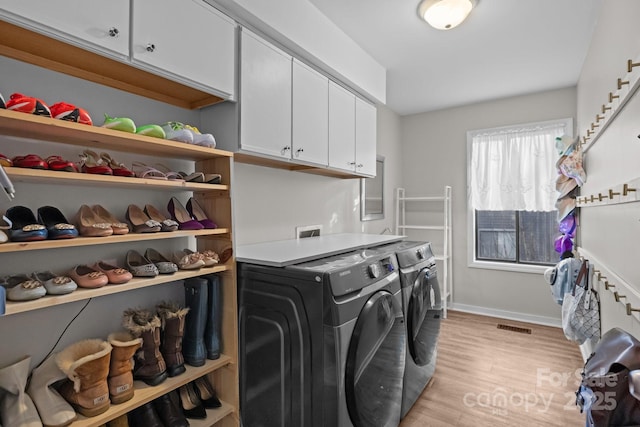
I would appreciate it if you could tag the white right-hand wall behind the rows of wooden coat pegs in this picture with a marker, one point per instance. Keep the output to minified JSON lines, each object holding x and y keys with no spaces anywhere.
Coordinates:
{"x":610,"y":233}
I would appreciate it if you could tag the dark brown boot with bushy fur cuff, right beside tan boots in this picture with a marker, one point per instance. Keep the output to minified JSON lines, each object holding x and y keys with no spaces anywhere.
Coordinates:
{"x":150,"y":366}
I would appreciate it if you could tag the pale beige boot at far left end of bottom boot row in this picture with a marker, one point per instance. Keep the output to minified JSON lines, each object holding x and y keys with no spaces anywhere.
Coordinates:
{"x":17,"y":408}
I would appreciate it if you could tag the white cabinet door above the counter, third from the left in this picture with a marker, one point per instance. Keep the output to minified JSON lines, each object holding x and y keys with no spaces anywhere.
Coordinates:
{"x":342,"y":128}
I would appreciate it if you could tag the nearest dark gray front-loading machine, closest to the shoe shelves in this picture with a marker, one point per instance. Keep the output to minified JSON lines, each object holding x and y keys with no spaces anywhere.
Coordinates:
{"x":322,"y":343}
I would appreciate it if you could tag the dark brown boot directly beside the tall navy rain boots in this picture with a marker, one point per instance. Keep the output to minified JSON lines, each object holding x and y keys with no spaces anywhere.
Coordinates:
{"x":172,"y":317}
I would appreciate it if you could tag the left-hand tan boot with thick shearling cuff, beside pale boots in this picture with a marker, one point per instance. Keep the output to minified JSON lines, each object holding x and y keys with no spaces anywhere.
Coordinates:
{"x":86,"y":364}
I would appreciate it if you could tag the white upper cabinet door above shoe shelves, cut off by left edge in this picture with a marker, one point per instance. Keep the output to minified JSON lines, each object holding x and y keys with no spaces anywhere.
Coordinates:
{"x":101,"y":27}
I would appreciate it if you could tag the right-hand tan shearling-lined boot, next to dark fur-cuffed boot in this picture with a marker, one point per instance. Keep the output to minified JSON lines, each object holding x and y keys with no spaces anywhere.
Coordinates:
{"x":120,"y":378}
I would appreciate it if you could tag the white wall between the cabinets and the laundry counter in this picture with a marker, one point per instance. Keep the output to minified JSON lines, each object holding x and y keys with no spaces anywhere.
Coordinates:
{"x":270,"y":203}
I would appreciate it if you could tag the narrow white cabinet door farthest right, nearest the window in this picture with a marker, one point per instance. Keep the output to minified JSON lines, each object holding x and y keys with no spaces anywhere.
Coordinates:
{"x":365,"y":138}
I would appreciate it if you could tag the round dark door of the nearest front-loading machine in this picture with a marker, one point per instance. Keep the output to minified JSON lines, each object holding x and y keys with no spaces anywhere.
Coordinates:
{"x":375,"y":363}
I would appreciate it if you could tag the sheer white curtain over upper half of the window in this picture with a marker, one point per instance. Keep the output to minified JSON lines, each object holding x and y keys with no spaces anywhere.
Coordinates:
{"x":515,"y":169}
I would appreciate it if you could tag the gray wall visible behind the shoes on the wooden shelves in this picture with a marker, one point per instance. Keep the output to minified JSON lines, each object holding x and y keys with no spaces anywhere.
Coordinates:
{"x":35,"y":333}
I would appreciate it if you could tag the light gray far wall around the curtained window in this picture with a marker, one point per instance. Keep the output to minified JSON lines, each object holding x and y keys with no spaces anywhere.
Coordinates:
{"x":434,"y":147}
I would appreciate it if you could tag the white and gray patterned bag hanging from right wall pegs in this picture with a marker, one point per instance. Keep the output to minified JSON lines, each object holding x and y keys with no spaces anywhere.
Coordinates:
{"x":581,"y":309}
